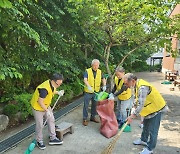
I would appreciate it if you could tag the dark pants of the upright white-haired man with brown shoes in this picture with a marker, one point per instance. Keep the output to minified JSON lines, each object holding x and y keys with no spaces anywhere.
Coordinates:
{"x":87,"y":98}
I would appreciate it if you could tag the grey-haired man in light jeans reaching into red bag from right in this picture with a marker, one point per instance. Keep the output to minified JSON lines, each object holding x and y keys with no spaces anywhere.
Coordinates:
{"x":124,"y":103}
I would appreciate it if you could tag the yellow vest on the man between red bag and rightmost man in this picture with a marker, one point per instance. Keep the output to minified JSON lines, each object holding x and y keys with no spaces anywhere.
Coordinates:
{"x":125,"y":95}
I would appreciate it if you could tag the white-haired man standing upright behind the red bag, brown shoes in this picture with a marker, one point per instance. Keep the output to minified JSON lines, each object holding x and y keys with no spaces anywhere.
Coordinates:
{"x":92,"y":79}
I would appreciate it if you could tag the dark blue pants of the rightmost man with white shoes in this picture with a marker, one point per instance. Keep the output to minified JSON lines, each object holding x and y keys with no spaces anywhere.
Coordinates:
{"x":150,"y":129}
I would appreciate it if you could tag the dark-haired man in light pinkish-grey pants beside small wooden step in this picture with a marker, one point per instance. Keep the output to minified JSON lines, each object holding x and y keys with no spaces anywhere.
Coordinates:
{"x":40,"y":103}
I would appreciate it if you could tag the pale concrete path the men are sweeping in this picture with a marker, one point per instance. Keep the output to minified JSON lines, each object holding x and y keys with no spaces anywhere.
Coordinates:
{"x":88,"y":140}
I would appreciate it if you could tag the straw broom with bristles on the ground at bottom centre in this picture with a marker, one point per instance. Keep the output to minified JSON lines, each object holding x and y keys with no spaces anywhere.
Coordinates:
{"x":110,"y":147}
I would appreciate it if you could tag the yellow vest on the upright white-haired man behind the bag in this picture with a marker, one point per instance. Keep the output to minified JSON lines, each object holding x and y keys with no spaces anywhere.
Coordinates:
{"x":94,"y":83}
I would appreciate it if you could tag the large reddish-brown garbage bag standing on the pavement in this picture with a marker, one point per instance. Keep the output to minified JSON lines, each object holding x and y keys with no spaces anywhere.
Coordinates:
{"x":109,"y":125}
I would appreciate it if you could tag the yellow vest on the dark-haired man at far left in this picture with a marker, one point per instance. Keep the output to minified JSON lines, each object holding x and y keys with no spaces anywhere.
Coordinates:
{"x":47,"y":100}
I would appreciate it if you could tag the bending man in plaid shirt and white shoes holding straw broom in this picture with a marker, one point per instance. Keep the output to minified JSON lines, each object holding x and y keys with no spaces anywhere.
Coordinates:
{"x":150,"y":105}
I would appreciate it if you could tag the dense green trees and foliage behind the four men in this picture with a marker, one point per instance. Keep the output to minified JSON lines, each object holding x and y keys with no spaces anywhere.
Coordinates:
{"x":38,"y":38}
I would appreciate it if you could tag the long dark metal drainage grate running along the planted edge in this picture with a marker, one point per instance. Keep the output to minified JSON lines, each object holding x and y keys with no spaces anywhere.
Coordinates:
{"x":20,"y":136}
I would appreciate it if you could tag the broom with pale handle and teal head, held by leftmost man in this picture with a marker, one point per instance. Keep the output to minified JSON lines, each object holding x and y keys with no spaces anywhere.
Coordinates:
{"x":33,"y":143}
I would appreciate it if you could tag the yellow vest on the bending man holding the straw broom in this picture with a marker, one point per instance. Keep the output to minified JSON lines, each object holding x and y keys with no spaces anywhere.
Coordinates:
{"x":154,"y":101}
